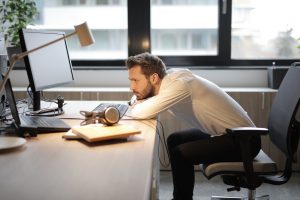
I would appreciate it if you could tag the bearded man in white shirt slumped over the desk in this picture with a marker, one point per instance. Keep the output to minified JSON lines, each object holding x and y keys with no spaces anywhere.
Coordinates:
{"x":196,"y":100}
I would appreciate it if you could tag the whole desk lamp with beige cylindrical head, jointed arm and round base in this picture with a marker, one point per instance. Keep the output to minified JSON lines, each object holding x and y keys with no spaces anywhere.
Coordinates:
{"x":85,"y":38}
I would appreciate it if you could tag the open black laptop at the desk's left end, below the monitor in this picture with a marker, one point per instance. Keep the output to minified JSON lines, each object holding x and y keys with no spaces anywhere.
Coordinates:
{"x":39,"y":124}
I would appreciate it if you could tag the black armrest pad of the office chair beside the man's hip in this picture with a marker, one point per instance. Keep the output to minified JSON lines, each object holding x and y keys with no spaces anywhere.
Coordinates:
{"x":251,"y":131}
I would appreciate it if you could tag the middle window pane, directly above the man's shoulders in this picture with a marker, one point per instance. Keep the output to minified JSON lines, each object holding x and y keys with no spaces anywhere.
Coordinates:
{"x":184,"y":27}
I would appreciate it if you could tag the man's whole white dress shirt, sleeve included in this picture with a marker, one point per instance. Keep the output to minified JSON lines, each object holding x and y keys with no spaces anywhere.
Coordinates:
{"x":196,"y":100}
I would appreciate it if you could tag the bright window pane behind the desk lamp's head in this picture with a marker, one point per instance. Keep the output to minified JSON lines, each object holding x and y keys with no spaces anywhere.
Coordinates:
{"x":107,"y":20}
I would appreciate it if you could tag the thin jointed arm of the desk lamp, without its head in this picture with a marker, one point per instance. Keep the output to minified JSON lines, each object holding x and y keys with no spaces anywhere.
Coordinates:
{"x":16,"y":57}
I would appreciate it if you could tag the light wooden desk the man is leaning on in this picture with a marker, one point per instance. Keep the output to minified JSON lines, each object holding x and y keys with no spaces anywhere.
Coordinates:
{"x":52,"y":168}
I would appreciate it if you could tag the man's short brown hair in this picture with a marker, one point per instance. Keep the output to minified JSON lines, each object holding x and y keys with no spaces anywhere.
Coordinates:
{"x":149,"y":63}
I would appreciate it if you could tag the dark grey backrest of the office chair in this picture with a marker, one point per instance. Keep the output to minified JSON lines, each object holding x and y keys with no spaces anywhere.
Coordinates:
{"x":282,"y":125}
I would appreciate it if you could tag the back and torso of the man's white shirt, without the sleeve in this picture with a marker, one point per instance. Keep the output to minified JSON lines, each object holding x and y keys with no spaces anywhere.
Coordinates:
{"x":213,"y":110}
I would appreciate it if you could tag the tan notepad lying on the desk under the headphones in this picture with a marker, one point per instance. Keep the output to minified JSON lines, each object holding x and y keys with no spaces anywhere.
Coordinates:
{"x":99,"y":132}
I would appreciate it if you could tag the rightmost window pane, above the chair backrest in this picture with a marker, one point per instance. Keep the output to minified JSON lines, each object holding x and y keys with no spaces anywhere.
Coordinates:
{"x":265,"y":29}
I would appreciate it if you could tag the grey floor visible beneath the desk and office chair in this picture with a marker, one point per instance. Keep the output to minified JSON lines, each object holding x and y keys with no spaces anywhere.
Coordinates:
{"x":204,"y":188}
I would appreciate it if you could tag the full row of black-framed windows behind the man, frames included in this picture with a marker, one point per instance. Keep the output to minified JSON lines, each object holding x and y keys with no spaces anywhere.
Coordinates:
{"x":189,"y":33}
